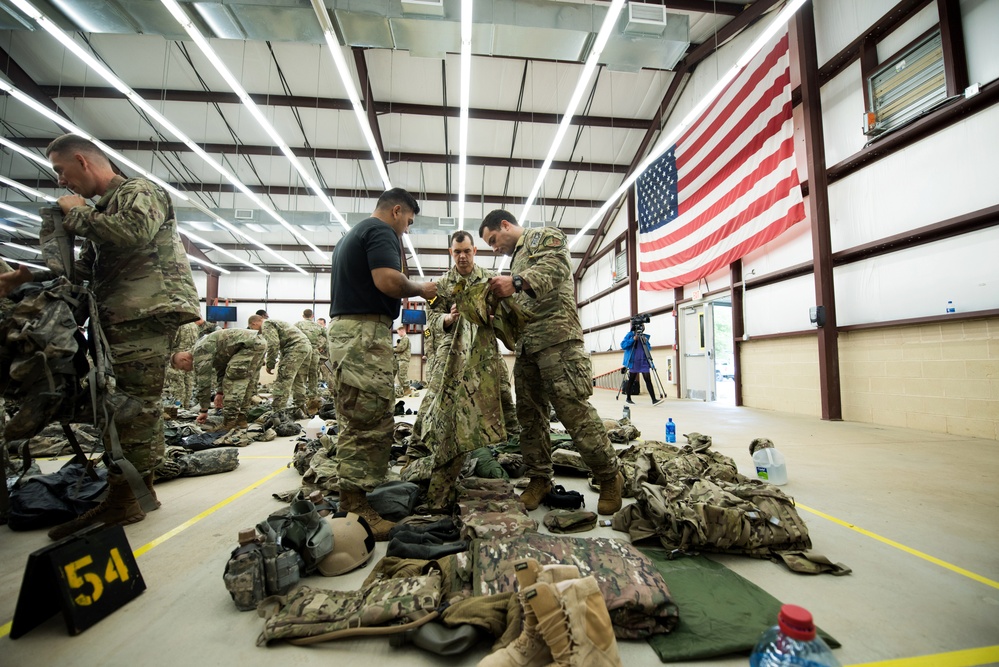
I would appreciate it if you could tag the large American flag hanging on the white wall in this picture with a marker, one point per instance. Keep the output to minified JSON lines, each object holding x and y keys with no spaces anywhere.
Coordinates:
{"x":728,"y":185}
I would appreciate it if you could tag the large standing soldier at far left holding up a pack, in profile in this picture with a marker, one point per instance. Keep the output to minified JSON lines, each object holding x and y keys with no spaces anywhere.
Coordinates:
{"x":135,"y":263}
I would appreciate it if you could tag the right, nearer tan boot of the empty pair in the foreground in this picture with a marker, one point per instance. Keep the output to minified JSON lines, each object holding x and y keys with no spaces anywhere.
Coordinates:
{"x":573,"y":619}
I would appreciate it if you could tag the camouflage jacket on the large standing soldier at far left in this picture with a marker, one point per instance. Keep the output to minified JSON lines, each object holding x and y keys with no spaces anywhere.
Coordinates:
{"x":132,"y":254}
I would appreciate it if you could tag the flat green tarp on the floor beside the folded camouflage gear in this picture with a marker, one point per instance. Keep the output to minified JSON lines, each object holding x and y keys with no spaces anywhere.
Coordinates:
{"x":720,"y":611}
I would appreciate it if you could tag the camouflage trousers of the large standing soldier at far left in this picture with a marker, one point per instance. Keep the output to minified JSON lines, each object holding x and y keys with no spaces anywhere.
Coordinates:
{"x":139,"y":348}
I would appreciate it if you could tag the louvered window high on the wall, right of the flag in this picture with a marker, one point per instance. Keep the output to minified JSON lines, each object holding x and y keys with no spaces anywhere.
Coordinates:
{"x":906,"y":86}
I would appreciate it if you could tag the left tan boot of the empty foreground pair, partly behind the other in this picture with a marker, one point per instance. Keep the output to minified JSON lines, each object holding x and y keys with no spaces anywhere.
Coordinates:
{"x":529,"y":648}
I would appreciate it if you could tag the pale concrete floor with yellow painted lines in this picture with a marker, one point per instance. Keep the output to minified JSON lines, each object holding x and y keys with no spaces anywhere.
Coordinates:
{"x":915,"y":514}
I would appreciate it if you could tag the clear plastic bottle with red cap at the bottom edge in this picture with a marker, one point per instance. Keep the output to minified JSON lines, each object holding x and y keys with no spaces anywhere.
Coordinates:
{"x":792,"y":642}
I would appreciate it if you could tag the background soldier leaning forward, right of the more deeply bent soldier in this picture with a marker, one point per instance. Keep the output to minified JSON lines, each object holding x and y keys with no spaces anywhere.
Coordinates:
{"x":295,"y":350}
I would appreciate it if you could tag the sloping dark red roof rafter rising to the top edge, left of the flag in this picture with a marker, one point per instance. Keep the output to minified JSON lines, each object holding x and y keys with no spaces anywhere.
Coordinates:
{"x":747,"y":17}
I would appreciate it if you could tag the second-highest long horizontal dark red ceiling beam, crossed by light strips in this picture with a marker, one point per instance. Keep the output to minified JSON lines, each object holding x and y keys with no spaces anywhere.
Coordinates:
{"x":339,"y":154}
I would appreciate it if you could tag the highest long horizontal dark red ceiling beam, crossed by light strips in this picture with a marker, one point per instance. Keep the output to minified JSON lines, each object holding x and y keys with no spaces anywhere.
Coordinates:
{"x":206,"y":97}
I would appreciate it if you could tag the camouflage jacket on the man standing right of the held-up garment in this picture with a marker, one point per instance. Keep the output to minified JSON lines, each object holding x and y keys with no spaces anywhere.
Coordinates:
{"x":541,"y":258}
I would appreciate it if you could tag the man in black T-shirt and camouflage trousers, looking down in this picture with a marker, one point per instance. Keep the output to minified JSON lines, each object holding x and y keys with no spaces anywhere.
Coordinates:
{"x":366,"y":288}
